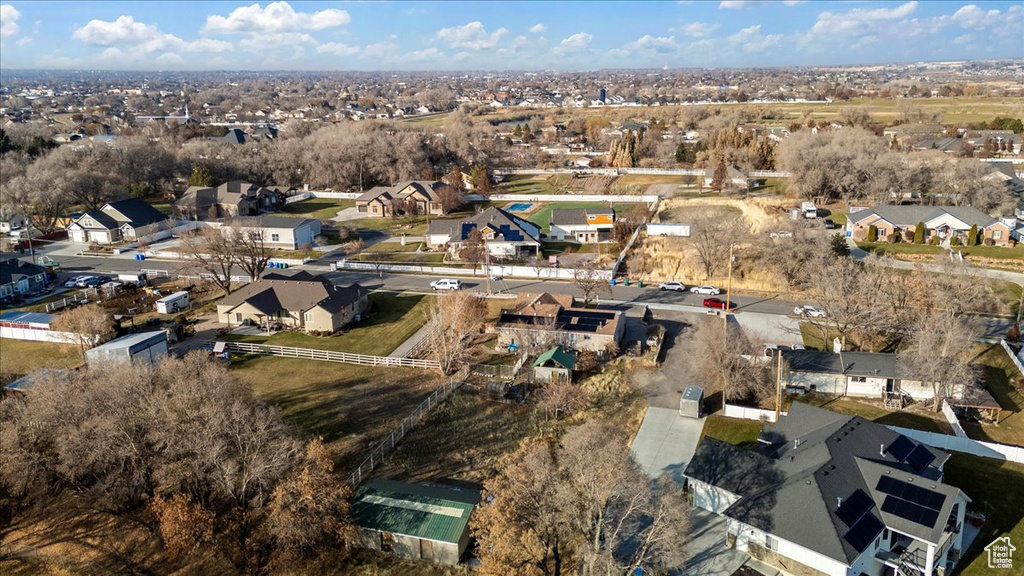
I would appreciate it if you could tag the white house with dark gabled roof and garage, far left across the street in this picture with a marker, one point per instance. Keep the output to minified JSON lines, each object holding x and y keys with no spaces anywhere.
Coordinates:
{"x":123,"y":221}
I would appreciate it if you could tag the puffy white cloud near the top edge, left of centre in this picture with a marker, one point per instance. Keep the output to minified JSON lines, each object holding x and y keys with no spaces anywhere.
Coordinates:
{"x":277,"y":18}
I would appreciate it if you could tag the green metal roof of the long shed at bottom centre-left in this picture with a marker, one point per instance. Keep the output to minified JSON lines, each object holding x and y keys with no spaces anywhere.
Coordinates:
{"x":432,"y":513}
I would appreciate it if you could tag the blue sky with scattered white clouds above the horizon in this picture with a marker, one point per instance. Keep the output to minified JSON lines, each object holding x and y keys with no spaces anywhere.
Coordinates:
{"x":496,"y":35}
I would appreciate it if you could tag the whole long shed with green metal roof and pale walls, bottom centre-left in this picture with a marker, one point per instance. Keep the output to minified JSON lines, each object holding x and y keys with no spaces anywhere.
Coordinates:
{"x":414,"y":521}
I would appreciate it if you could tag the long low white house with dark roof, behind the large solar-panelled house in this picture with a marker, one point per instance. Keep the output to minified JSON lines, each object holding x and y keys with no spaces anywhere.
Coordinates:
{"x":857,"y":374}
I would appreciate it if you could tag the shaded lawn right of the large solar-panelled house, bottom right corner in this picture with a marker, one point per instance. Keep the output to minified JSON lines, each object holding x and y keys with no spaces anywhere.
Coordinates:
{"x":997,"y":489}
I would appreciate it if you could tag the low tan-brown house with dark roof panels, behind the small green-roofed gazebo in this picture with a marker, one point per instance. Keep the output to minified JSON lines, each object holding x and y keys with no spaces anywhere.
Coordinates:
{"x":548,"y":320}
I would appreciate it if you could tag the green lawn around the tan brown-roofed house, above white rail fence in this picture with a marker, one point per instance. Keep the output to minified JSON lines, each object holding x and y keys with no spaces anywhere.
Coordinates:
{"x":393,"y":320}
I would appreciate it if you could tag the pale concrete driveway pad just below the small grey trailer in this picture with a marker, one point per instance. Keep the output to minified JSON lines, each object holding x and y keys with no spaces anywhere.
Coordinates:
{"x":666,"y":443}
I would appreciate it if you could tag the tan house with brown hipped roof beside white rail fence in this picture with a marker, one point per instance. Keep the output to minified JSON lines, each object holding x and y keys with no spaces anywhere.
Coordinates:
{"x":304,"y":302}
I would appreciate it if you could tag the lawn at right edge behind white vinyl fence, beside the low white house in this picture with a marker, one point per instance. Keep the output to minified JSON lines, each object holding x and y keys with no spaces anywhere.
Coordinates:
{"x":999,"y":376}
